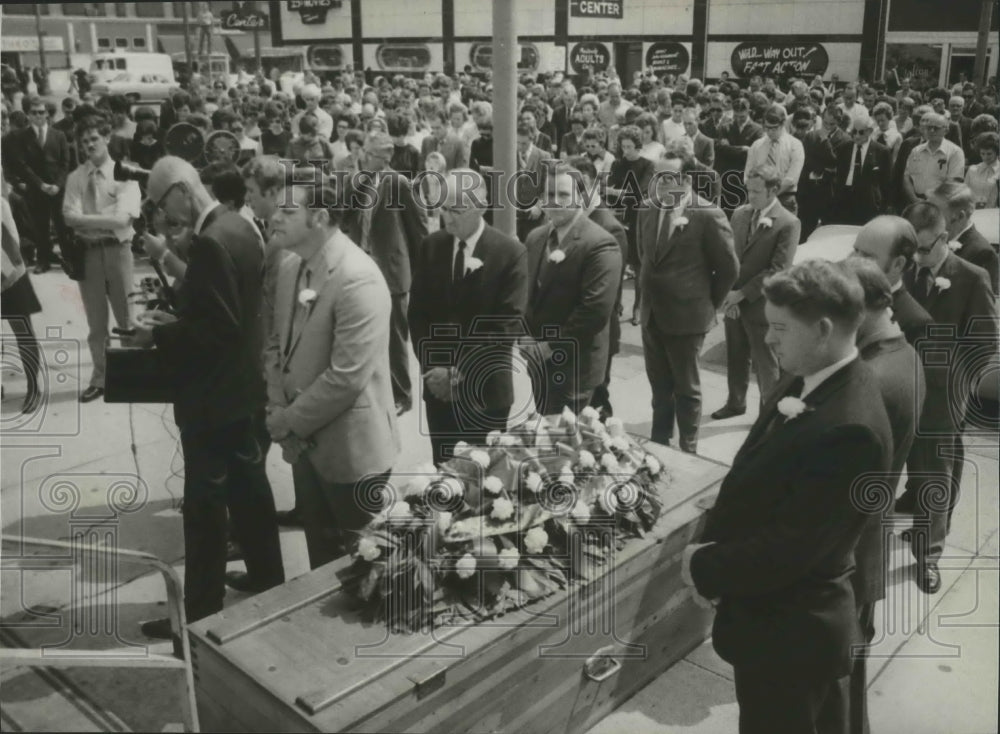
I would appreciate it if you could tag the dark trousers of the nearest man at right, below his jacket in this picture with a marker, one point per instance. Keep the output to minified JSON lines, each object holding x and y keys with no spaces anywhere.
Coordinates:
{"x":773,"y":702}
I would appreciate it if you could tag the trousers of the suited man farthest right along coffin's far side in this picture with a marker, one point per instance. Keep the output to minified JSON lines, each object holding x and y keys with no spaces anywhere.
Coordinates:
{"x":745,"y":345}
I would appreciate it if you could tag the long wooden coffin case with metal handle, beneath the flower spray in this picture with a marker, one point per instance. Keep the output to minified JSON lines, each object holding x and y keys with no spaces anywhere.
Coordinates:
{"x":298,"y":658}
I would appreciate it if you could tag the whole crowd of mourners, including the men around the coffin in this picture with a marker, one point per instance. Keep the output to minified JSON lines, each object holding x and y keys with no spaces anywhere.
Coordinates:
{"x":305,"y":270}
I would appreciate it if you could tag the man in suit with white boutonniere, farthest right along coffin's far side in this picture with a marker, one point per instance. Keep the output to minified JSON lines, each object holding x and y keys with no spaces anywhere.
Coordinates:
{"x":766,"y":236}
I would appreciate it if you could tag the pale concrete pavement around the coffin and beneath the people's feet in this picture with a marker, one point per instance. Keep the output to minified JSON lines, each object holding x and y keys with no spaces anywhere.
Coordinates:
{"x":933,"y":670}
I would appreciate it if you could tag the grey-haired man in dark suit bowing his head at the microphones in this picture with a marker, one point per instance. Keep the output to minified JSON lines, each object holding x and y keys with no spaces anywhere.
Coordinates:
{"x":213,"y":346}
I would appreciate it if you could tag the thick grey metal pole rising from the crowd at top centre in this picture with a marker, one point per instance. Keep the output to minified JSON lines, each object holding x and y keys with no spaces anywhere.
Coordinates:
{"x":505,"y":53}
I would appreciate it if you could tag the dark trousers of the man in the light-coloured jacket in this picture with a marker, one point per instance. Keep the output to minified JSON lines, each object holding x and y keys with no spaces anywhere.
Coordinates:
{"x":331,"y":512}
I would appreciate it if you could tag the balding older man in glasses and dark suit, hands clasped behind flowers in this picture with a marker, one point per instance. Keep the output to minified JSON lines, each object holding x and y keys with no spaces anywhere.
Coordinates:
{"x":470,"y":290}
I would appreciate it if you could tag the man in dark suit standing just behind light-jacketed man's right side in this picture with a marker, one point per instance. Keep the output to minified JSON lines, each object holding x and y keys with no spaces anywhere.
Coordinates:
{"x":389,"y":226}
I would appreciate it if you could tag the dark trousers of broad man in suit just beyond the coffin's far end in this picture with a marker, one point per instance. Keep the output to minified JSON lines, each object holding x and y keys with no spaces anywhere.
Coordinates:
{"x":672,"y":369}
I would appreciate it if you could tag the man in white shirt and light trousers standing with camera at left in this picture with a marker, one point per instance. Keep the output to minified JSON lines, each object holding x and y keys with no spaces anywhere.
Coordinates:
{"x":100,"y":211}
